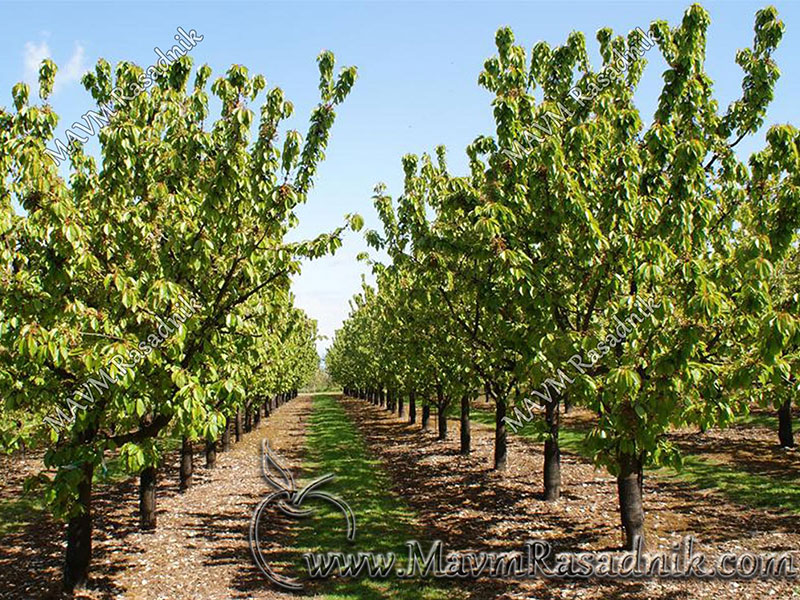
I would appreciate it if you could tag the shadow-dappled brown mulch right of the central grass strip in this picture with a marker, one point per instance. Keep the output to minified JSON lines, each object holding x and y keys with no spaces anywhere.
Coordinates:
{"x":464,"y":502}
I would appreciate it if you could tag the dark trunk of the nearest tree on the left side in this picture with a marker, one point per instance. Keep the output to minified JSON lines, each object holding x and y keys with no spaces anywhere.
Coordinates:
{"x":79,"y":536}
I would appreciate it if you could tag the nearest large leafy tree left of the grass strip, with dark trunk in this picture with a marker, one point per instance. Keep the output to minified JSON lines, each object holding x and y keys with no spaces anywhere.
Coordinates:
{"x":176,"y":214}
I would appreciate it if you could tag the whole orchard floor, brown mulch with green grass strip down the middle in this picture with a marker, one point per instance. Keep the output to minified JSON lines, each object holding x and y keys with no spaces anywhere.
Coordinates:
{"x":200,"y":549}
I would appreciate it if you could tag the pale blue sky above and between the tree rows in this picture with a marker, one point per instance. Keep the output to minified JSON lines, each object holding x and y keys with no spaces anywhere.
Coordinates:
{"x":417,"y":87}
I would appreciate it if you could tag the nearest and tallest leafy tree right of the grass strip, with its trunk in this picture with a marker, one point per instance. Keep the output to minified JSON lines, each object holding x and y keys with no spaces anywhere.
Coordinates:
{"x":606,"y":215}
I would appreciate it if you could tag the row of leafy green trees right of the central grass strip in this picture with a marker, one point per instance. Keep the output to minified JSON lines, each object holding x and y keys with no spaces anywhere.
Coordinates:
{"x":522,"y":272}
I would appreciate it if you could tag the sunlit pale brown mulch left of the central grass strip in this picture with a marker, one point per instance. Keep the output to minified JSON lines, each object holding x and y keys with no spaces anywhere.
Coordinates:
{"x":200,"y":548}
